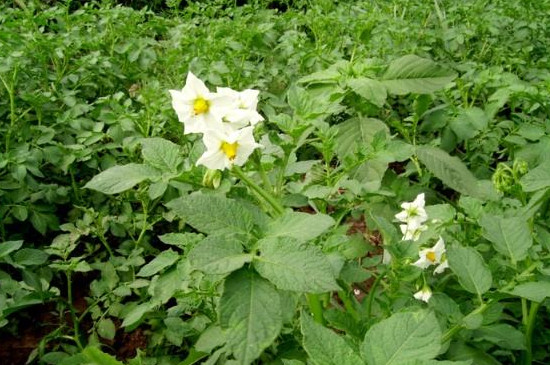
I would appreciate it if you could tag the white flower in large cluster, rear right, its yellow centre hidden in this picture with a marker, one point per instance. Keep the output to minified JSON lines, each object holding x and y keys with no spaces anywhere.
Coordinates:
{"x":243,"y":111}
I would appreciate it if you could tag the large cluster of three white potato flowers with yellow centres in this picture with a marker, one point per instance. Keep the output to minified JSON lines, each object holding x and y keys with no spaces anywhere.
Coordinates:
{"x":226,"y":119}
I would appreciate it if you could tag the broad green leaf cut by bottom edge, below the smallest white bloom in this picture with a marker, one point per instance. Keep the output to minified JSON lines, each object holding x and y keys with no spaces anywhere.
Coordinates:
{"x":403,"y":337}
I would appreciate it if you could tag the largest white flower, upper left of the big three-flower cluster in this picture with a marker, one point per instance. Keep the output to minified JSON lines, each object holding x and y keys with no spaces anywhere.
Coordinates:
{"x":197,"y":108}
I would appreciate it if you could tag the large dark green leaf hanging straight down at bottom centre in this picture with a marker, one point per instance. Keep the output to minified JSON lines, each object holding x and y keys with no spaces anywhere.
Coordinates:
{"x":250,"y":314}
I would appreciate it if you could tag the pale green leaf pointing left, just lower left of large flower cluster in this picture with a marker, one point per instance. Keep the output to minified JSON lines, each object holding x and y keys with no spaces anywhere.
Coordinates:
{"x":120,"y":178}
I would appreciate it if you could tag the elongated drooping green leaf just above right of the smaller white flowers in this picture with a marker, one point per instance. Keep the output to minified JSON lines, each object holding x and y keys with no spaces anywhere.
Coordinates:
{"x":449,"y":169}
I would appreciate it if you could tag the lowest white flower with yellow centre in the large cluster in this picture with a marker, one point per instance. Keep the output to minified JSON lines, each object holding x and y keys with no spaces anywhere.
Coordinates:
{"x":225,"y":149}
